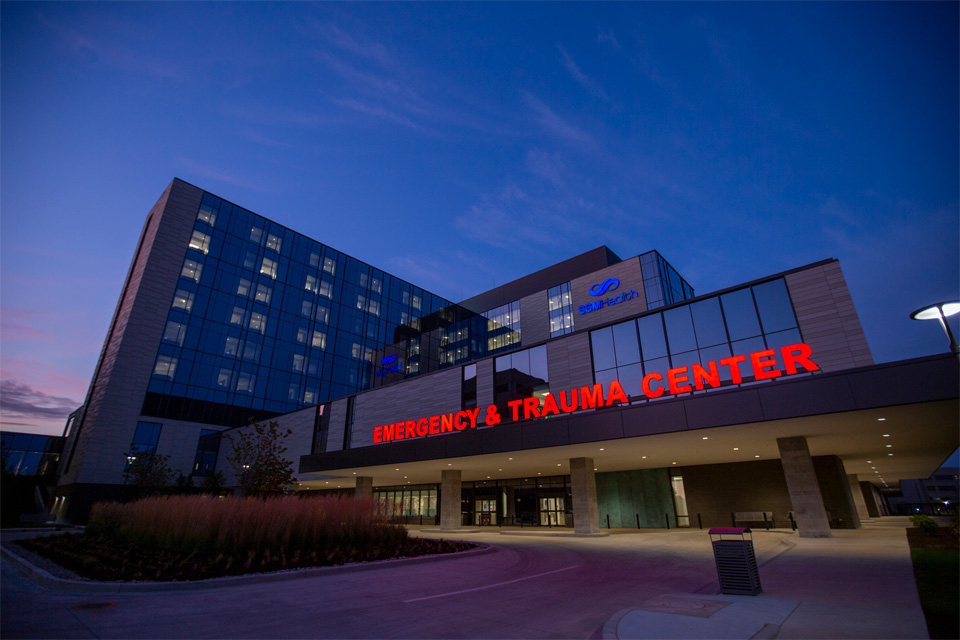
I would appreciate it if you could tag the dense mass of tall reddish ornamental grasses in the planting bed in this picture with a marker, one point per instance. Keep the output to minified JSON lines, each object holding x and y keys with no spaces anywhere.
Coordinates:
{"x":230,"y":526}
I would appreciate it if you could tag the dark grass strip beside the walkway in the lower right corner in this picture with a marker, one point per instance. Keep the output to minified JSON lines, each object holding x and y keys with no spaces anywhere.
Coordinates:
{"x":937,"y":571}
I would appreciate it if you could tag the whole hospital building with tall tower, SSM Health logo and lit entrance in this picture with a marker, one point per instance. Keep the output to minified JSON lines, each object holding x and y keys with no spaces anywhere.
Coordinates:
{"x":596,"y":392}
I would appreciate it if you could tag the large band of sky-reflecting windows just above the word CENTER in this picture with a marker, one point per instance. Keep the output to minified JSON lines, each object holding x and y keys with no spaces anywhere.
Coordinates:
{"x":739,"y":322}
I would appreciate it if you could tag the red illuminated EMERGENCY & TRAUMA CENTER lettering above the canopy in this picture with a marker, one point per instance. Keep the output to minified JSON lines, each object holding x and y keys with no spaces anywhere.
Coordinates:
{"x":765,"y":365}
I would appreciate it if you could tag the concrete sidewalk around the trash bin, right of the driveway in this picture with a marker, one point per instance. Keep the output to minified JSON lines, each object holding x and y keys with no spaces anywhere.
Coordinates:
{"x":857,"y":584}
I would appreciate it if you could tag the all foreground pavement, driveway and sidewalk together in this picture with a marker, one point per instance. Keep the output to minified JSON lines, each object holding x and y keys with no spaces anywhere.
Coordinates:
{"x":858,"y":584}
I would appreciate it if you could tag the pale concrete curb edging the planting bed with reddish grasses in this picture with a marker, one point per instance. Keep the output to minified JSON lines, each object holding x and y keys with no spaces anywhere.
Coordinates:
{"x":46,"y":579}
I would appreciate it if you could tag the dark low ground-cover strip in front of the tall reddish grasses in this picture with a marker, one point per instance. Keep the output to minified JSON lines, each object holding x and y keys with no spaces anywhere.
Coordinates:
{"x":97,"y":559}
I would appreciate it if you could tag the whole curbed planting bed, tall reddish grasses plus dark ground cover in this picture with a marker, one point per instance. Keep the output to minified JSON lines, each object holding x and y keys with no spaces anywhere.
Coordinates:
{"x":199,"y":537}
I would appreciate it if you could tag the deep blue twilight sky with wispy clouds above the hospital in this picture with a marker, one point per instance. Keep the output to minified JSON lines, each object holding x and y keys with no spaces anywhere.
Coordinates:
{"x":460,"y":146}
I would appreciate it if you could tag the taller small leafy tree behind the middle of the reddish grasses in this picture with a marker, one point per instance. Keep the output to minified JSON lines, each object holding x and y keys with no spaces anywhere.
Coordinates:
{"x":257,"y":458}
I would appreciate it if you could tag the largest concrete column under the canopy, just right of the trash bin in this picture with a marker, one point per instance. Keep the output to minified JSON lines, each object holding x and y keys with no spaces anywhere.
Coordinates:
{"x":805,"y":496}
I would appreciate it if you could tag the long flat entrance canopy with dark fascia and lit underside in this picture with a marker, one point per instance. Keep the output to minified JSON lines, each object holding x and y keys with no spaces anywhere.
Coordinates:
{"x":885,"y":422}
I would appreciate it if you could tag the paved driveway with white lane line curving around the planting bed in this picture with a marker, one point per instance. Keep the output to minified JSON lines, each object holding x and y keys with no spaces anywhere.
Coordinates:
{"x":529,"y":588}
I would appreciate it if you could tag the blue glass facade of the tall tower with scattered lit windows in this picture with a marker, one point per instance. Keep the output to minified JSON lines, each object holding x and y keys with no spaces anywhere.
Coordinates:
{"x":269,"y":321}
